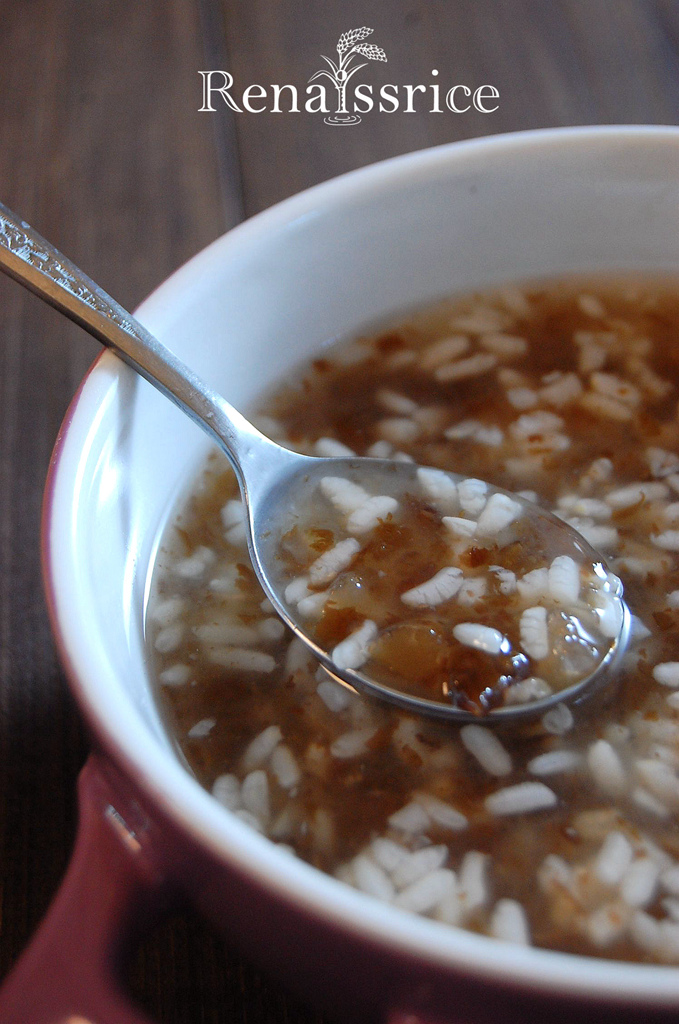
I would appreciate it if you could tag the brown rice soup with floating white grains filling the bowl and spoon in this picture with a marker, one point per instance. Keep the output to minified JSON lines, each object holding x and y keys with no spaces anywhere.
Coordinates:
{"x":562,"y":832}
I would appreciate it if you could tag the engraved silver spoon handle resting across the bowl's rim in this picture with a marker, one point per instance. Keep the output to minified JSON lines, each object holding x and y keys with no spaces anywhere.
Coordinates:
{"x":39,"y":267}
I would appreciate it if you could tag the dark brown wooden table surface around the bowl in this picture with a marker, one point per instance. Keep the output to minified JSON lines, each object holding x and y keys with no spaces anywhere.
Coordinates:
{"x":104,"y":150}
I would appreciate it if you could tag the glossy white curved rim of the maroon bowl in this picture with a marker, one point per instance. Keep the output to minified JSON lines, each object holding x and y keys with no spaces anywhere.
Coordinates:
{"x":161,"y":777}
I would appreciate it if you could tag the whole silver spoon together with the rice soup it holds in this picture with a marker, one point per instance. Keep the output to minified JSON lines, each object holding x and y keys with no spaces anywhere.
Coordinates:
{"x":438,"y":592}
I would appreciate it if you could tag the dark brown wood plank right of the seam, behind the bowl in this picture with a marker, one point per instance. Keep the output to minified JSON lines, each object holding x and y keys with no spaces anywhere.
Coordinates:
{"x":561,"y":63}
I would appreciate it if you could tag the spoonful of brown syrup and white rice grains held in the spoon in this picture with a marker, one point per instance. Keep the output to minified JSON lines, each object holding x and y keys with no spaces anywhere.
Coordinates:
{"x":376,"y":580}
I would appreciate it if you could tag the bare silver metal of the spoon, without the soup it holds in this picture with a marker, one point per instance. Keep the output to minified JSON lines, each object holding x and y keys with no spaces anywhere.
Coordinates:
{"x":273,"y":479}
